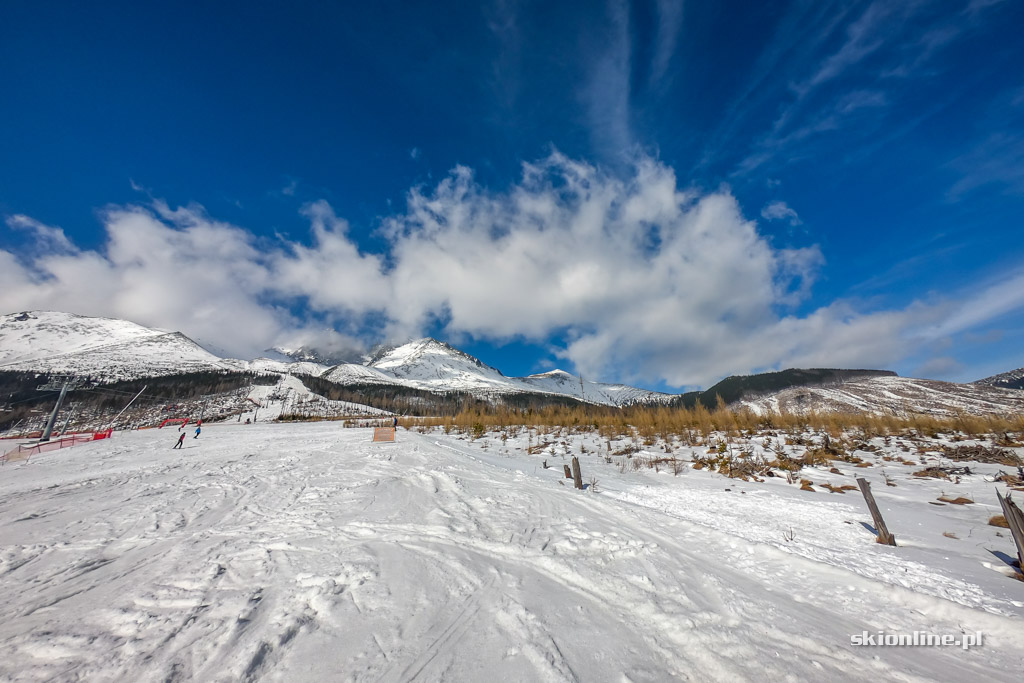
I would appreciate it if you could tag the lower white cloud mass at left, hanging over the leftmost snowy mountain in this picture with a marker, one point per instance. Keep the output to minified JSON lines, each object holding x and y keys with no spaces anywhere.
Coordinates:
{"x":179,"y":269}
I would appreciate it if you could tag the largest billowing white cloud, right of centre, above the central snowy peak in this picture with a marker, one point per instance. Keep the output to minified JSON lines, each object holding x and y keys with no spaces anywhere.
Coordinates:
{"x":649,"y":282}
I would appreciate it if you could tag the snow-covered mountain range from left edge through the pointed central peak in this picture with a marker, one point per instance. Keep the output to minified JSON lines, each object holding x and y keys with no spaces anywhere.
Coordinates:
{"x":112,"y":351}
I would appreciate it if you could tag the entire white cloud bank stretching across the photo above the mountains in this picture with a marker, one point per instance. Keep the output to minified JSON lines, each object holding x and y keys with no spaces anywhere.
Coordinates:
{"x":642,"y":281}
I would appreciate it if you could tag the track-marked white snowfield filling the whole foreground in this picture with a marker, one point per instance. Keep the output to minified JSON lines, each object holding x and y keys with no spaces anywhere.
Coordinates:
{"x":306,"y":552}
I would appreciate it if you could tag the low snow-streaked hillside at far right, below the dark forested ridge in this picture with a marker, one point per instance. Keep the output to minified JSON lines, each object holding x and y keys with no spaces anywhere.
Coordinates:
{"x":891,"y":396}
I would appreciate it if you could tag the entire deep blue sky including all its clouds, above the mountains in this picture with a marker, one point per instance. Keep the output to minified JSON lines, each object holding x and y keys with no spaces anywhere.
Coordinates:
{"x":659,"y":193}
